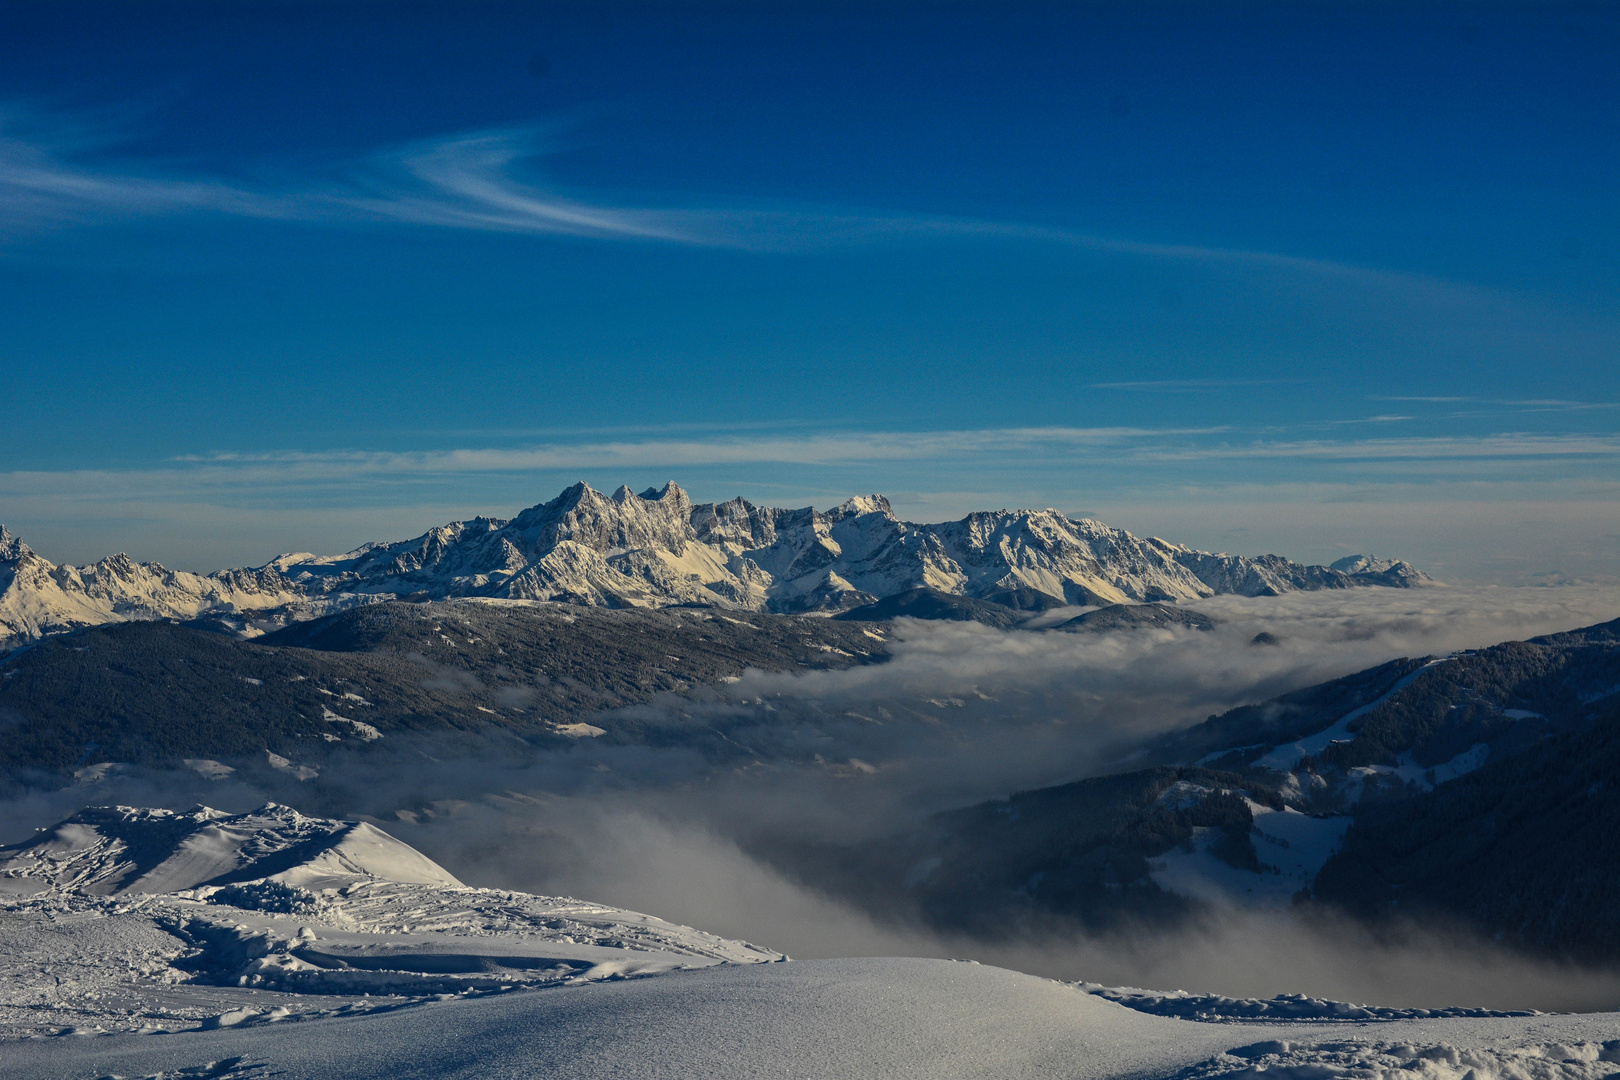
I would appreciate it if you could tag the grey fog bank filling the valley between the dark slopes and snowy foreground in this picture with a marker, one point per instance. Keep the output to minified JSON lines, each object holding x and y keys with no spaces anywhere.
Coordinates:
{"x":735,"y":833}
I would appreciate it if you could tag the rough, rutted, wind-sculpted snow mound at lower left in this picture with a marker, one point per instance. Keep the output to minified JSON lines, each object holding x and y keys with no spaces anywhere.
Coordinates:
{"x":143,"y":921}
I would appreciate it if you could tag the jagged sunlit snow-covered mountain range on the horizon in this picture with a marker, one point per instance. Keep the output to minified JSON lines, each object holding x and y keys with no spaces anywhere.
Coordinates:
{"x":659,"y":550}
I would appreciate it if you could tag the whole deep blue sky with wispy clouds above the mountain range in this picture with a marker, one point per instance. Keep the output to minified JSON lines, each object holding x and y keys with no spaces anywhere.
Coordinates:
{"x":1303,"y":278}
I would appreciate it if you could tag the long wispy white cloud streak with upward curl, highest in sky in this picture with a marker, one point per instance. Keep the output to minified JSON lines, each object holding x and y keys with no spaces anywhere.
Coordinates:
{"x":472,"y":182}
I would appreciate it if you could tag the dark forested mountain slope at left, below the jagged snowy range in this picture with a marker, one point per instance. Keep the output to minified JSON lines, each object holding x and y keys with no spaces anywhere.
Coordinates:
{"x":153,"y":692}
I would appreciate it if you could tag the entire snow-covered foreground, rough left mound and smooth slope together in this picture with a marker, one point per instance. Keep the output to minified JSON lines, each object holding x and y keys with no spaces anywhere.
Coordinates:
{"x":299,"y":946}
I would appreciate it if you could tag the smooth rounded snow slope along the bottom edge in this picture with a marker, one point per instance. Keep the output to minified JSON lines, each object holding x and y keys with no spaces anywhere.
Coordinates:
{"x":837,"y":1019}
